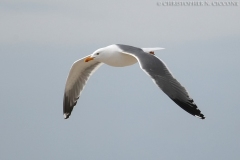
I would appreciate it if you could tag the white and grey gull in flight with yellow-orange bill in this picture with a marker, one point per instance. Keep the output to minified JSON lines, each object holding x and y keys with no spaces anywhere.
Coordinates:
{"x":119,"y":55}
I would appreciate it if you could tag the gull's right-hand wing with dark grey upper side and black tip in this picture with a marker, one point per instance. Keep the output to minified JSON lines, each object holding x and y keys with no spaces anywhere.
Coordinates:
{"x":160,"y":74}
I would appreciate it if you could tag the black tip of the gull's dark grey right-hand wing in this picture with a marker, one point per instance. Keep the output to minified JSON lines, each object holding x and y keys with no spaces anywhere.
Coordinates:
{"x":190,"y":107}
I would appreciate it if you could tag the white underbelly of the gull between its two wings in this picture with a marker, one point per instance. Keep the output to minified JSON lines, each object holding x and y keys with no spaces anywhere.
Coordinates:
{"x":120,"y":60}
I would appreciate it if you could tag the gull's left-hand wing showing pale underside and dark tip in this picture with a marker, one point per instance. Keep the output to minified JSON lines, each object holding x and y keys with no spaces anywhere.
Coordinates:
{"x":77,"y":78}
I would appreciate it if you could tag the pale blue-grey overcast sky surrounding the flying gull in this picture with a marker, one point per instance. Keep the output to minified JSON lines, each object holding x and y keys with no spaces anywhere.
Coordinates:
{"x":121,"y":114}
